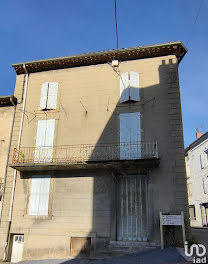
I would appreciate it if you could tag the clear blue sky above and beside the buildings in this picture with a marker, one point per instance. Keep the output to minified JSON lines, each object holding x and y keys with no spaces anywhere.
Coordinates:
{"x":32,"y":30}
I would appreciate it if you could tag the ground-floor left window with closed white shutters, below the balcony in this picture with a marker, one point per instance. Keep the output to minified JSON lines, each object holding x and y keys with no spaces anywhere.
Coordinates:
{"x":39,"y":195}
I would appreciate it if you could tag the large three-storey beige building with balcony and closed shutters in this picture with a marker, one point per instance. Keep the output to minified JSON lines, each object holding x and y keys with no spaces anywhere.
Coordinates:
{"x":99,"y":153}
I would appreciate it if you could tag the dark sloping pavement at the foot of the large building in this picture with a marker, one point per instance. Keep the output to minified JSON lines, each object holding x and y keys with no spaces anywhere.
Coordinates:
{"x":156,"y":256}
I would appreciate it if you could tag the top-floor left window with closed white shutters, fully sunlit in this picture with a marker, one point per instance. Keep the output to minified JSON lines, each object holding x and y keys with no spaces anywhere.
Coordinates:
{"x":48,"y":97}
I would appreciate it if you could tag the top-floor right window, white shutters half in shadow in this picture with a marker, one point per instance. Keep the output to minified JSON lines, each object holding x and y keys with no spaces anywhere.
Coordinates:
{"x":129,"y":87}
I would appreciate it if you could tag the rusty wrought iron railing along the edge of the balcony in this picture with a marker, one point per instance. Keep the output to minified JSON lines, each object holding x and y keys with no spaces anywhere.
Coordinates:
{"x":86,"y":153}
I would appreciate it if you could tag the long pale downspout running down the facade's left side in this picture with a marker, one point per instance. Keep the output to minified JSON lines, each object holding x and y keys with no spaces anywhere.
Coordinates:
{"x":15,"y":171}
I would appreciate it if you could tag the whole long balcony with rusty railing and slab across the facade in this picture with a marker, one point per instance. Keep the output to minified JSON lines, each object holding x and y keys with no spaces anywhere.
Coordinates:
{"x":85,"y":155}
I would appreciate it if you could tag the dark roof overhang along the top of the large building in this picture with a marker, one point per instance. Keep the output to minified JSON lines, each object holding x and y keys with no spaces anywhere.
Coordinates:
{"x":140,"y":52}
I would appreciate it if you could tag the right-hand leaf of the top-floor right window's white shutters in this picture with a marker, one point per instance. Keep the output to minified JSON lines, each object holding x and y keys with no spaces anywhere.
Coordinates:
{"x":134,"y":86}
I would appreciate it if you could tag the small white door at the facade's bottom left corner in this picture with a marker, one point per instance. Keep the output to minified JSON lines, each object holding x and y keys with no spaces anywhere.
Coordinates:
{"x":17,"y":248}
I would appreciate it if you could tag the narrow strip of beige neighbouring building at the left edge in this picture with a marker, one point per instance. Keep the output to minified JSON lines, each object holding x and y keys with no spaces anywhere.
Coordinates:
{"x":7,"y":112}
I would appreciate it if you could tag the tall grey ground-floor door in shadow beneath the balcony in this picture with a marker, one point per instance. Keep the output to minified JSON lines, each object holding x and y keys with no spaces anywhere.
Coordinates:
{"x":132,"y":215}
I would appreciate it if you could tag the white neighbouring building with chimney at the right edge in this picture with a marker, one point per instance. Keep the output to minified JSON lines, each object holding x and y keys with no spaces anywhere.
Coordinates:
{"x":196,"y":157}
